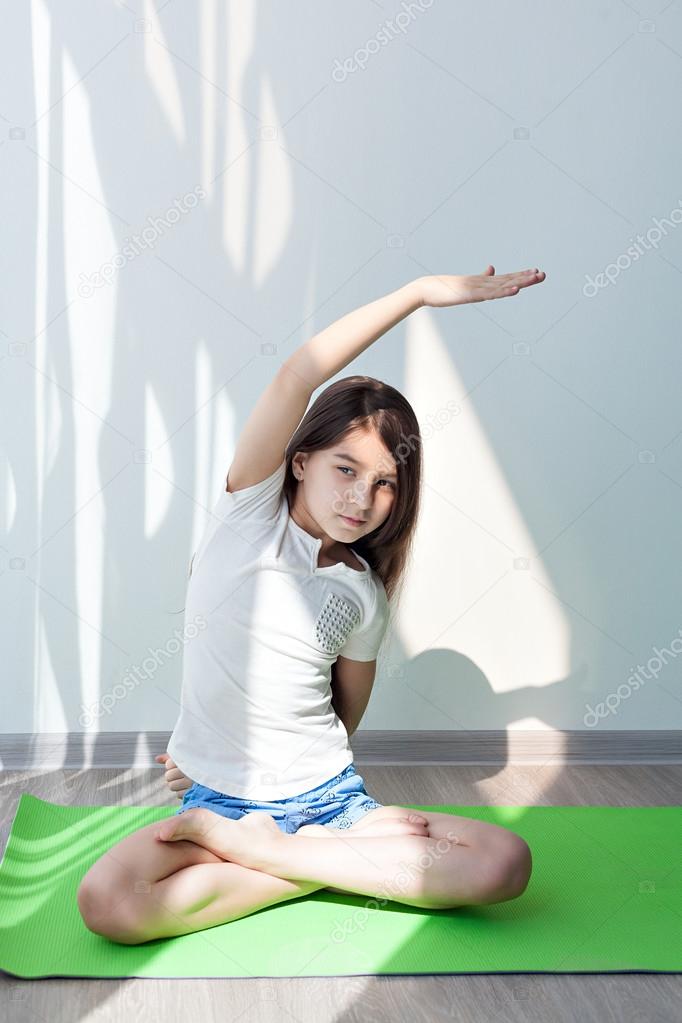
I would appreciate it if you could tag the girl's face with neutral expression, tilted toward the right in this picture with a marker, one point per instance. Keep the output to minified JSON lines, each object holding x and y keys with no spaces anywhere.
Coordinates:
{"x":355,"y":478}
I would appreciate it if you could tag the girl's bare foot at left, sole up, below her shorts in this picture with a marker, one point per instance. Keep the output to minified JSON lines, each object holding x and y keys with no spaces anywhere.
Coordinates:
{"x":240,"y":841}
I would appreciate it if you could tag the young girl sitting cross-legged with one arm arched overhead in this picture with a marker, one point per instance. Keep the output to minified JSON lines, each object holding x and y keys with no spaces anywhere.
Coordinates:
{"x":291,"y":587}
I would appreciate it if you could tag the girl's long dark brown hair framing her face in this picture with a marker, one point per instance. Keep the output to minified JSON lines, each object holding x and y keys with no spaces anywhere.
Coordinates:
{"x":363,"y":403}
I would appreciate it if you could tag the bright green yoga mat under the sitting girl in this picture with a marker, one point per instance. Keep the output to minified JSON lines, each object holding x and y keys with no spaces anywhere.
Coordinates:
{"x":606,"y":897}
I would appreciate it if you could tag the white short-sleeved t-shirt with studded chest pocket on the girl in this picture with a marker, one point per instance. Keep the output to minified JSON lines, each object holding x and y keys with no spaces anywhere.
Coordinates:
{"x":256,"y":718}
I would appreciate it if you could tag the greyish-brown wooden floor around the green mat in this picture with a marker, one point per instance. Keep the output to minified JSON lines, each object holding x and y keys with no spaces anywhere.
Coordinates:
{"x":602,"y":999}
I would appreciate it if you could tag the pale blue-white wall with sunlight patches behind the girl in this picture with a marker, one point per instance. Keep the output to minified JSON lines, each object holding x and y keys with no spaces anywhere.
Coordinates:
{"x":339,"y":158}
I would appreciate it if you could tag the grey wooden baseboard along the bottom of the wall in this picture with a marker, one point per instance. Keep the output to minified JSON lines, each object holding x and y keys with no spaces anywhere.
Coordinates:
{"x":27,"y":751}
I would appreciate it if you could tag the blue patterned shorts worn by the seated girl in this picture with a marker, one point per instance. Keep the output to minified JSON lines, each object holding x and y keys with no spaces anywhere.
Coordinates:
{"x":340,"y":803}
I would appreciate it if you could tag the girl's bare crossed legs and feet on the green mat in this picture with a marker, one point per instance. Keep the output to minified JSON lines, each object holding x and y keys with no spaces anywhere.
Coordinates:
{"x":149,"y":887}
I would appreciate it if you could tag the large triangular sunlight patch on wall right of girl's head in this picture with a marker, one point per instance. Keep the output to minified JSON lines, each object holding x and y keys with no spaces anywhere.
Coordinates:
{"x":514,"y":631}
